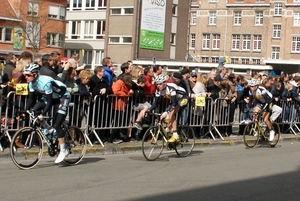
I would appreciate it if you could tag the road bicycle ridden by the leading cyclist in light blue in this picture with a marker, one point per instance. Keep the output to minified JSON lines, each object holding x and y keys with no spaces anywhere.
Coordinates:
{"x":27,"y":145}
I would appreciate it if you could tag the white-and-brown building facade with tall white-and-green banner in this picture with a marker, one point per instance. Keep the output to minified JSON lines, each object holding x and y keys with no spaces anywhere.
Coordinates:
{"x":96,"y":29}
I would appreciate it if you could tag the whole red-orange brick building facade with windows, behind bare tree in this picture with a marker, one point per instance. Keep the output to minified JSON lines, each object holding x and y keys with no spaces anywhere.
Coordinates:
{"x":32,"y":25}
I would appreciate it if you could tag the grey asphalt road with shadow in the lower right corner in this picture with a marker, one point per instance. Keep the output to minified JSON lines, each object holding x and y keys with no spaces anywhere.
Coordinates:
{"x":210,"y":173}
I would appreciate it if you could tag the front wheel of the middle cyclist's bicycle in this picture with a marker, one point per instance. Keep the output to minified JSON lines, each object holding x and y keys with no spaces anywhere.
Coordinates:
{"x":152,"y":143}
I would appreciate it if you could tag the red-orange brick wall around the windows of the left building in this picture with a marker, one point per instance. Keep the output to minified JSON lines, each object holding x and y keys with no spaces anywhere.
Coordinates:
{"x":20,"y":19}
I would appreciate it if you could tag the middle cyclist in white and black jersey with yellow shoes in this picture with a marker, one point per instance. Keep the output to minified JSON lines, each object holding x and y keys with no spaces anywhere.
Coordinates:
{"x":178,"y":100}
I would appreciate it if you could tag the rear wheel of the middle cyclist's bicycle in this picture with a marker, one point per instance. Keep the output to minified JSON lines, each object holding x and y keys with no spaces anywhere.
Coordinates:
{"x":187,"y":140}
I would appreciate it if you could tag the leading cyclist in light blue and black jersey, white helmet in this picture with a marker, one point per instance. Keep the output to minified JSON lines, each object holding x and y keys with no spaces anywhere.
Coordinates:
{"x":53,"y":92}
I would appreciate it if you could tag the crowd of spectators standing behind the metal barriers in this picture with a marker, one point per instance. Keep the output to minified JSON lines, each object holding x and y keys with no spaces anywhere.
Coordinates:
{"x":138,"y":83}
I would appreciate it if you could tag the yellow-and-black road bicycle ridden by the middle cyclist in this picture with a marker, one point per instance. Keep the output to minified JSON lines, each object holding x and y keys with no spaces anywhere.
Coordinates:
{"x":156,"y":138}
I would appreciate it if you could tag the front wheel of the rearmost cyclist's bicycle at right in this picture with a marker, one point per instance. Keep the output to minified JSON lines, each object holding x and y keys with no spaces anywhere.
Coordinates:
{"x":251,"y":135}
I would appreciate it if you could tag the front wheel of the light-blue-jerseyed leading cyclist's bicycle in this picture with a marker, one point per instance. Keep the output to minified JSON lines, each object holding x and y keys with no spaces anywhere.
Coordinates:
{"x":26,"y":148}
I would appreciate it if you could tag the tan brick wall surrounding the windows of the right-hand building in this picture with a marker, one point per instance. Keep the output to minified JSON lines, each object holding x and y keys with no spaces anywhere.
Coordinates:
{"x":226,"y":28}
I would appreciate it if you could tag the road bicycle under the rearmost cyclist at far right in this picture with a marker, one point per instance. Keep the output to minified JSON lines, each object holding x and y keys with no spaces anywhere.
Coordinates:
{"x":254,"y":131}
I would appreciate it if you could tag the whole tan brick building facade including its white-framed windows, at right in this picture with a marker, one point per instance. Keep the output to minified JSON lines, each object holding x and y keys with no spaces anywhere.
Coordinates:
{"x":247,"y":33}
